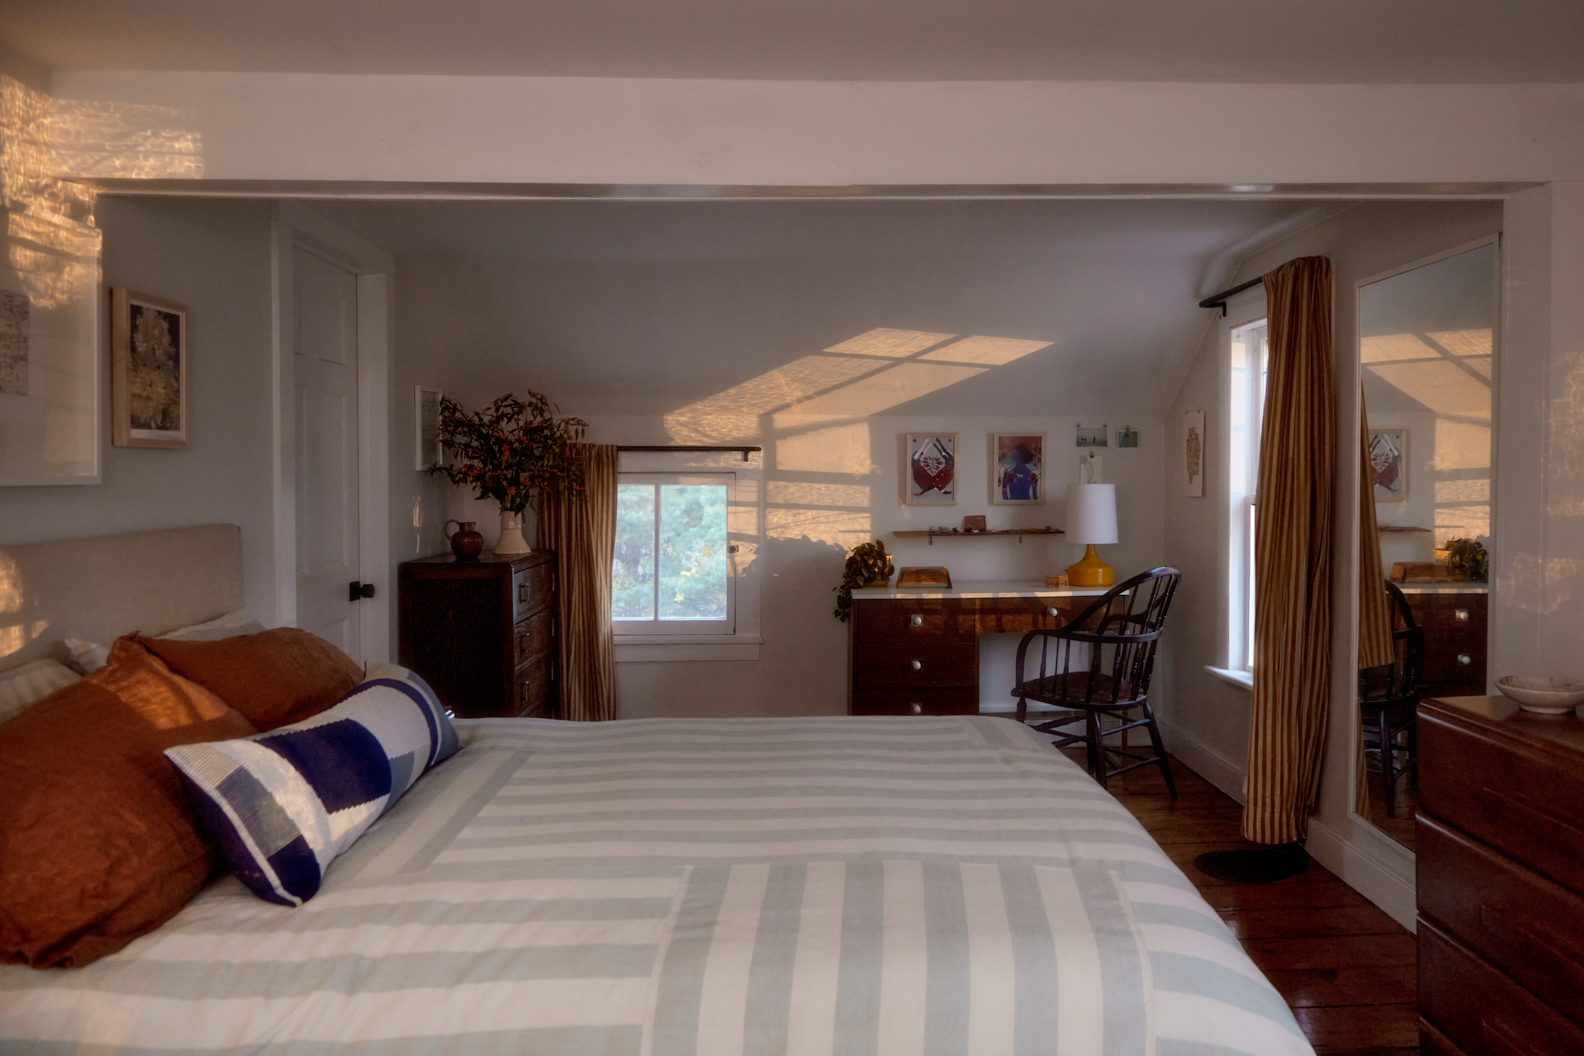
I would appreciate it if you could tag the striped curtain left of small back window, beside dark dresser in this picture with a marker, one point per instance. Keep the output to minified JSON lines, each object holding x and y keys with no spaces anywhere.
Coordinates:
{"x":582,"y":530}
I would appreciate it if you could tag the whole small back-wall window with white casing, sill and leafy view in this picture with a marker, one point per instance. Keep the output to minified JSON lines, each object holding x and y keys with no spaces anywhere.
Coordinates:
{"x":685,"y":577}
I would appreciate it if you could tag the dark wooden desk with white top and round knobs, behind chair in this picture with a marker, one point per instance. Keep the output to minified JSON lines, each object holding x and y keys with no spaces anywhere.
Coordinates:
{"x":916,"y":650}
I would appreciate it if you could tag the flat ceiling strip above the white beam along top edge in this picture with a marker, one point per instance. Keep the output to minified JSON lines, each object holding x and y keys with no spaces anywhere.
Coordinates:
{"x":1289,"y":42}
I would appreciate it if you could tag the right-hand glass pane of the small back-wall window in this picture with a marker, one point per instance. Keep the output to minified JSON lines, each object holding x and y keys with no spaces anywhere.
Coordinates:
{"x":693,"y":552}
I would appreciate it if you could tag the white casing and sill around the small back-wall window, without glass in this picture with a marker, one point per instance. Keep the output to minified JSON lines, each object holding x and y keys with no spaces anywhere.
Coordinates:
{"x":745,"y":517}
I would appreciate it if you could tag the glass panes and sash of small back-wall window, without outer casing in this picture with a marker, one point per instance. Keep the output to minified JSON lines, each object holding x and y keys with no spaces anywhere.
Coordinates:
{"x":672,"y":571}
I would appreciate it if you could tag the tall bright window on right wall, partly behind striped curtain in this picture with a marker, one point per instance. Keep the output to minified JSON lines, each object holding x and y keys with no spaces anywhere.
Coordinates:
{"x":1249,"y":359}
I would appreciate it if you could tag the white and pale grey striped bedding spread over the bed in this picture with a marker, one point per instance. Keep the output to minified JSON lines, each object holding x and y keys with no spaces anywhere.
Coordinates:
{"x":856,"y":887}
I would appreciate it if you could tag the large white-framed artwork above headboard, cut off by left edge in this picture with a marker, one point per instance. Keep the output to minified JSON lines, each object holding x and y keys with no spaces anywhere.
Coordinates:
{"x":50,"y":351}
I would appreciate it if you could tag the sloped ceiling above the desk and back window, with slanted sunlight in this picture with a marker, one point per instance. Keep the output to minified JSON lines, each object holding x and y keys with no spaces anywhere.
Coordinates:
{"x":650,"y":308}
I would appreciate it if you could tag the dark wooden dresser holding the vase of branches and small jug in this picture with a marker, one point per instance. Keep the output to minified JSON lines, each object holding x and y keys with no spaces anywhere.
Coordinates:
{"x":482,"y":632}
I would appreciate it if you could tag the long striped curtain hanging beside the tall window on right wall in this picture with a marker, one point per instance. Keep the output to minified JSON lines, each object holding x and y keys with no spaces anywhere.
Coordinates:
{"x":1293,"y":556}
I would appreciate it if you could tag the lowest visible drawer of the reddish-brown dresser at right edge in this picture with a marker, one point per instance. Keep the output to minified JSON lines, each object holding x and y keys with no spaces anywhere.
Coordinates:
{"x":1480,"y":1009}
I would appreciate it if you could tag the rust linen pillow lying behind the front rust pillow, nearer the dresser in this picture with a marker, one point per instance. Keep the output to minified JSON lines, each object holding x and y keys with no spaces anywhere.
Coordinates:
{"x":275,"y":678}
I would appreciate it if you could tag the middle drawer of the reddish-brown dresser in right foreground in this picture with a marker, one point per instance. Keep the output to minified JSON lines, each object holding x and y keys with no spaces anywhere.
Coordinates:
{"x":1521,"y":922}
